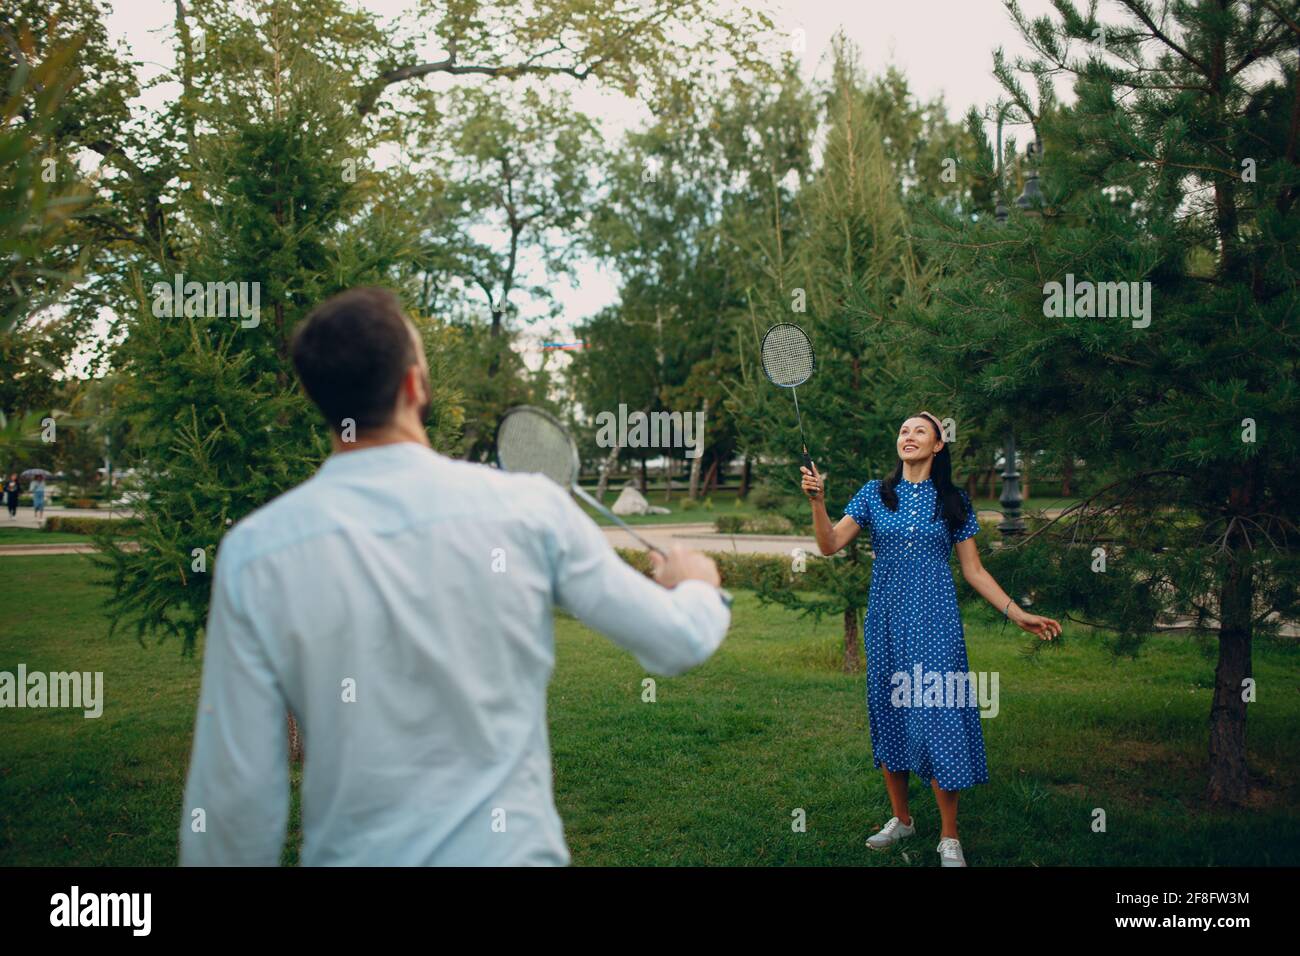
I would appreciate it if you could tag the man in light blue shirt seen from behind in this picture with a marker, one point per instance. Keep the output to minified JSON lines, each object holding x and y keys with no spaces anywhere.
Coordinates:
{"x":366,"y":602}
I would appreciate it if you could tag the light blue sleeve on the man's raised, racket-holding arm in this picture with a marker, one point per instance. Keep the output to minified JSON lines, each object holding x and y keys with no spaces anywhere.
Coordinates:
{"x":669,"y":631}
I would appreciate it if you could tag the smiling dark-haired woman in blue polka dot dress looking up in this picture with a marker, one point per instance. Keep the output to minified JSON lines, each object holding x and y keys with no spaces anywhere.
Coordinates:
{"x":917,"y":517}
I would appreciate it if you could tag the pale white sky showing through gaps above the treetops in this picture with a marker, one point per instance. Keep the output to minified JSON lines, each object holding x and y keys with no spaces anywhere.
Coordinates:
{"x":944,"y":47}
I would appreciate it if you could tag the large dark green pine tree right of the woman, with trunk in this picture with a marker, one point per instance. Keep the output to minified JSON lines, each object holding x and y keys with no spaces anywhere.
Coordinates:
{"x":1175,"y":167}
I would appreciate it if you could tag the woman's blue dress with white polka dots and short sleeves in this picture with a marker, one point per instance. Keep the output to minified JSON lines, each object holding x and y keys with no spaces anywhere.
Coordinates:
{"x":913,"y":618}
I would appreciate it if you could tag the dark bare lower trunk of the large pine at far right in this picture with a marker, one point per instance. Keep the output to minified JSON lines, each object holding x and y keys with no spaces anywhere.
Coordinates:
{"x":1229,"y":777}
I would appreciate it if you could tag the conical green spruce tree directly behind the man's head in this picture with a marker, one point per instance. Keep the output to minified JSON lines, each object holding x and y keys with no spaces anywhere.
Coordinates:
{"x":222,"y":427}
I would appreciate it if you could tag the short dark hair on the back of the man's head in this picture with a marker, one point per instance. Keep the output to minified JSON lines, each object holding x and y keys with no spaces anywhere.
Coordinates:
{"x":352,"y":353}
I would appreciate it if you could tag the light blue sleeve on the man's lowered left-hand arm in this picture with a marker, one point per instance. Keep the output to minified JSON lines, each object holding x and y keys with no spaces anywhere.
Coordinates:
{"x":240,"y":762}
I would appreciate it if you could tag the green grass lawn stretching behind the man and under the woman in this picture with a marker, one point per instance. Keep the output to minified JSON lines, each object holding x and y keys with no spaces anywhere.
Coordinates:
{"x":713,"y":771}
